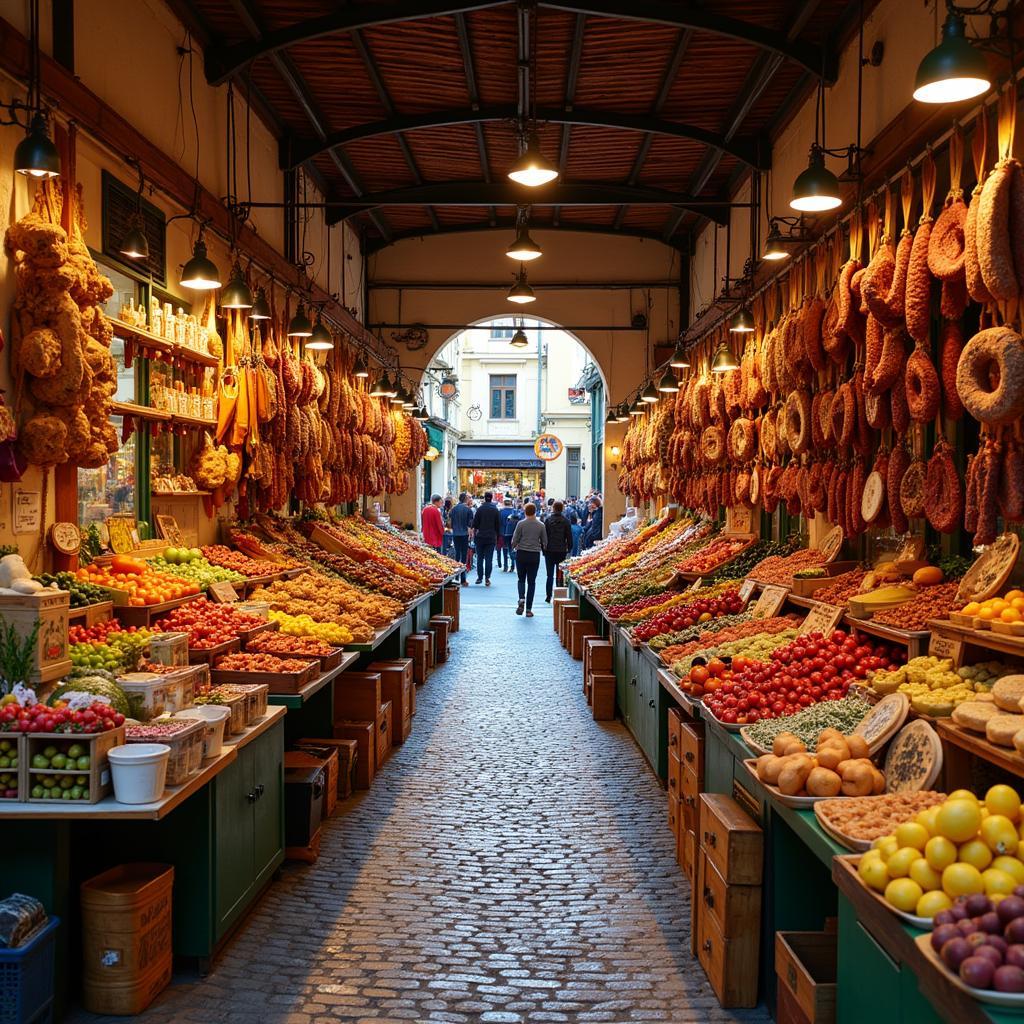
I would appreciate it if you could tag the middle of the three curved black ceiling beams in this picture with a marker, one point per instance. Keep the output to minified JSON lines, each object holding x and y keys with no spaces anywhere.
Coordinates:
{"x":294,"y":152}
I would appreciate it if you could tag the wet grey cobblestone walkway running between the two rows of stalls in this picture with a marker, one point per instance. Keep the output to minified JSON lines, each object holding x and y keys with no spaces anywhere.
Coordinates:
{"x":511,"y":864}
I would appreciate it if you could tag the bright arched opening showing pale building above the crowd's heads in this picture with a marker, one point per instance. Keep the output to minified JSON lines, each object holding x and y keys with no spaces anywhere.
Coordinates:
{"x":524,"y":405}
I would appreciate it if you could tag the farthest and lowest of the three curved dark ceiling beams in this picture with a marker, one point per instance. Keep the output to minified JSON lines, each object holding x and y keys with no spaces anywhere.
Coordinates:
{"x":509,"y":194}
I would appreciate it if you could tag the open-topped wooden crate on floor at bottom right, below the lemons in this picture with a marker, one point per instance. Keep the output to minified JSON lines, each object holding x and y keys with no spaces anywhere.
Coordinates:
{"x":805,"y":965}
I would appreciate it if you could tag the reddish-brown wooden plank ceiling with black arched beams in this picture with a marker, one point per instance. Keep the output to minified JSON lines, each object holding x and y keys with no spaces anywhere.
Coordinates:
{"x":407,"y":110}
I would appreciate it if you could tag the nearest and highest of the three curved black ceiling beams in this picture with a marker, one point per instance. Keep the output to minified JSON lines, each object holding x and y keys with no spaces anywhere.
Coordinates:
{"x":223,"y":63}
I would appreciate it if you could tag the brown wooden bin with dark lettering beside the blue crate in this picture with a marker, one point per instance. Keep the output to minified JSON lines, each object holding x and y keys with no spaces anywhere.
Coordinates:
{"x":126,"y":937}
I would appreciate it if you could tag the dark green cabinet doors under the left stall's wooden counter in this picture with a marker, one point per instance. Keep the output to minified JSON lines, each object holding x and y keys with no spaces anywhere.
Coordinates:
{"x":249,"y":827}
